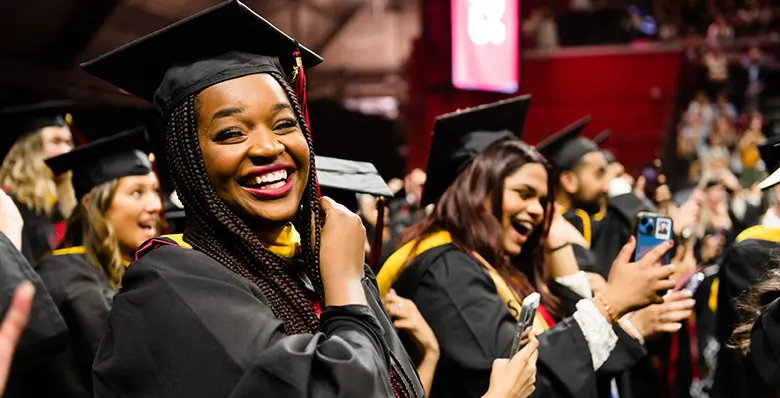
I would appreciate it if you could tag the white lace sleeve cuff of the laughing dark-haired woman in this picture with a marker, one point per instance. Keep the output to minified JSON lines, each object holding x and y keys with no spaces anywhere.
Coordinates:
{"x":598,"y":332}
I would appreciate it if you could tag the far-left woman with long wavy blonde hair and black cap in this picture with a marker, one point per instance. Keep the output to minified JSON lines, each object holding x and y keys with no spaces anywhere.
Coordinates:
{"x":43,"y":199}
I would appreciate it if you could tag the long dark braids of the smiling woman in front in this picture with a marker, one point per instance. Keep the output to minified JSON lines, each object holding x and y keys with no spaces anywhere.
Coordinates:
{"x":217,"y":231}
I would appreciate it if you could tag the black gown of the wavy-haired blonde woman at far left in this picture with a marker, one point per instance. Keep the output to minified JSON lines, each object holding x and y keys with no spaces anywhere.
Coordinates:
{"x":39,"y":236}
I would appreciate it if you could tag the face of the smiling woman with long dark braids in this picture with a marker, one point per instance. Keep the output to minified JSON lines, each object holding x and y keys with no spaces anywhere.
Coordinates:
{"x":245,"y":124}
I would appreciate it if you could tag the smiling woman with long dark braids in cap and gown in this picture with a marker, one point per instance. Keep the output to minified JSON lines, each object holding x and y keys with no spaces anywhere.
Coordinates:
{"x":244,"y":304}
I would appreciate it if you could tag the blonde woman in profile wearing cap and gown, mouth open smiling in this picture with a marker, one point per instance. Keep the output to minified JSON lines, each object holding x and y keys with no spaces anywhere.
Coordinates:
{"x":119,"y":208}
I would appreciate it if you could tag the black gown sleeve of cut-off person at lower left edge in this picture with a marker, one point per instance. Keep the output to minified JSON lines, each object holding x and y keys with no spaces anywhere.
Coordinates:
{"x":45,"y":334}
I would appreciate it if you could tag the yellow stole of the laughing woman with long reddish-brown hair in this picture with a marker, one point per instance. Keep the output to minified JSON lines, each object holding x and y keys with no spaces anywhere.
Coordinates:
{"x":398,"y":261}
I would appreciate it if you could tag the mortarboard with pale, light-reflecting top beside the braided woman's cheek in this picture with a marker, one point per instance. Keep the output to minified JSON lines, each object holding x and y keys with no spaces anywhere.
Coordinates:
{"x":342,"y":180}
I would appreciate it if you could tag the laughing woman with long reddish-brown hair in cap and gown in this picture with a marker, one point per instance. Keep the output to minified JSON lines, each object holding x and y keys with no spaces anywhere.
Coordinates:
{"x":470,"y":304}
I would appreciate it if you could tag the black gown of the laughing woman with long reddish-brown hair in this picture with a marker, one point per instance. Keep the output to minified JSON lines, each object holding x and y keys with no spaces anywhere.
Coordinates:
{"x":473,"y":326}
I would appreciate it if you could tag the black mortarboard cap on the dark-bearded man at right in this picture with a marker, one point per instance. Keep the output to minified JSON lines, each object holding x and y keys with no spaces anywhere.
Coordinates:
{"x":565,"y":148}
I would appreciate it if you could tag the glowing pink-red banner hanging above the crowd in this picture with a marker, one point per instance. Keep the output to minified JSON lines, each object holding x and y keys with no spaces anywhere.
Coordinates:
{"x":485,"y":45}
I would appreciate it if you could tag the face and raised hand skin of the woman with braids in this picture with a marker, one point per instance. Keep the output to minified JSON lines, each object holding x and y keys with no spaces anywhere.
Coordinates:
{"x":248,"y":123}
